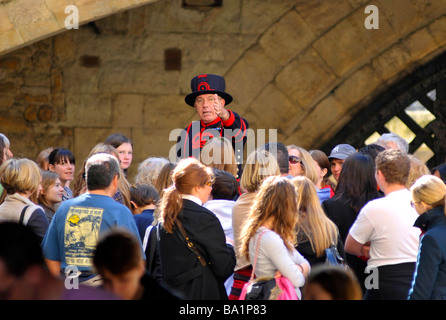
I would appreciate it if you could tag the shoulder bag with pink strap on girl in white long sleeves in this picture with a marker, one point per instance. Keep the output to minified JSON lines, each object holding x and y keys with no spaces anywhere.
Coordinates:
{"x":267,"y":288}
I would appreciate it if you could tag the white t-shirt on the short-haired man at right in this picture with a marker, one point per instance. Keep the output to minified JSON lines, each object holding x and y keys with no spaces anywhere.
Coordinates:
{"x":388,"y":224}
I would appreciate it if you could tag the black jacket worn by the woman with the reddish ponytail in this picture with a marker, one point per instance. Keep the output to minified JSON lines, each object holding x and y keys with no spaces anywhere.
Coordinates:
{"x":180,"y":268}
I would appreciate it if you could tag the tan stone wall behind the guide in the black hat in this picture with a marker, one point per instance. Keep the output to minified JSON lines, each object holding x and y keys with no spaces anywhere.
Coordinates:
{"x":302,"y":67}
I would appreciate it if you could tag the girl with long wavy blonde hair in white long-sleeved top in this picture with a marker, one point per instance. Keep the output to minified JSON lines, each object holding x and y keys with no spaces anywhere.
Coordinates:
{"x":272,"y":221}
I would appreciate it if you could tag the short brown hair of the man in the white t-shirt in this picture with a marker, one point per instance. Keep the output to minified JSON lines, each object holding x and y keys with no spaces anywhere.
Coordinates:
{"x":394,"y":165}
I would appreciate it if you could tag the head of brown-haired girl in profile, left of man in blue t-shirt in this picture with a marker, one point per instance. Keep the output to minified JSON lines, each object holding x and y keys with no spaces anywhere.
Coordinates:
{"x":51,"y":193}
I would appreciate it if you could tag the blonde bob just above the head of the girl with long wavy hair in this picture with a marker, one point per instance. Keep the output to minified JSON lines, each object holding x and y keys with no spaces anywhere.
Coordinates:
{"x":260,"y":164}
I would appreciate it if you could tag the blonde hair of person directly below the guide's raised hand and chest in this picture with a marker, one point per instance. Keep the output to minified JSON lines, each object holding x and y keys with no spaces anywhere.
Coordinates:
{"x":219,"y":154}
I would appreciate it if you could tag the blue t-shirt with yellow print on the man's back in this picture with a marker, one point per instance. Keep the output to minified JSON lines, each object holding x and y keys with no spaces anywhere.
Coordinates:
{"x":74,"y":231}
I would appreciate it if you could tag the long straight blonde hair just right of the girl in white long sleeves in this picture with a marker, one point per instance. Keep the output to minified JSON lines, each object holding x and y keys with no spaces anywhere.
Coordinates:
{"x":315,"y":231}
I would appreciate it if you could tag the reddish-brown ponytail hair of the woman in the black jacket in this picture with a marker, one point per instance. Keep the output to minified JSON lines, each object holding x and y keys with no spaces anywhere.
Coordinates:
{"x":189,"y":173}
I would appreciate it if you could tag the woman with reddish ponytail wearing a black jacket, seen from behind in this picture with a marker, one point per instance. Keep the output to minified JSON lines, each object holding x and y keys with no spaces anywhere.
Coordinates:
{"x":195,"y":258}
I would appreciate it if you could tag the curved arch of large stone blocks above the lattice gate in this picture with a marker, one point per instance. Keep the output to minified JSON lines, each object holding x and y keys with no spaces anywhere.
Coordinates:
{"x":317,"y":66}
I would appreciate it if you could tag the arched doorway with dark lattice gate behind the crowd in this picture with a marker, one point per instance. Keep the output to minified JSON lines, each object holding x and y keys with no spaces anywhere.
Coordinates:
{"x":415,"y":108}
